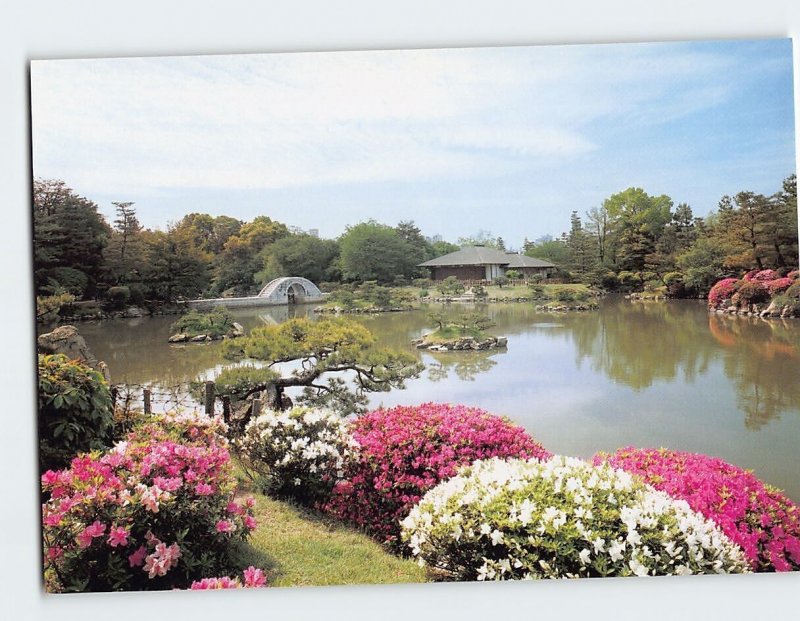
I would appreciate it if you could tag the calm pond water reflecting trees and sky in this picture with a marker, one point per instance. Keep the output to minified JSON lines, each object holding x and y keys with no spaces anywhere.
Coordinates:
{"x":630,"y":374}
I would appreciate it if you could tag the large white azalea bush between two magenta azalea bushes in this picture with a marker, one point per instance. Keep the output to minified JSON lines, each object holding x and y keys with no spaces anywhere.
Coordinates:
{"x":563,"y":518}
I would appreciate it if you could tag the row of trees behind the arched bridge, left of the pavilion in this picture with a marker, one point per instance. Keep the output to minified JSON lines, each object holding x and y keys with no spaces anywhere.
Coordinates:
{"x":78,"y":252}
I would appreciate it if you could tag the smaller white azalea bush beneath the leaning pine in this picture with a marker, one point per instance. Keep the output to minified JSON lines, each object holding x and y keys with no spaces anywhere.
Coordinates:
{"x":298,"y":453}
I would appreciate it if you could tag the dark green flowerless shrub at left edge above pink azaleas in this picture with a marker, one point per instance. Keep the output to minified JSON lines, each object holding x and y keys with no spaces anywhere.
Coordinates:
{"x":75,"y":410}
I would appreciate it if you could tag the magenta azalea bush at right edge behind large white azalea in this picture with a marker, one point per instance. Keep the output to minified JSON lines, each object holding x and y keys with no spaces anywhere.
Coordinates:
{"x":764,"y":522}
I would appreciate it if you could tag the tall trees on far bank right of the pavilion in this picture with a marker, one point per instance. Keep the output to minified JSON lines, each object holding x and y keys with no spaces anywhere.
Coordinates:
{"x":638,"y":241}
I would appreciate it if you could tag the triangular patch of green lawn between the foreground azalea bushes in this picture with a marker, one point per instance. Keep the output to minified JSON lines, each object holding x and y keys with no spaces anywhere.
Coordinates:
{"x":298,"y":547}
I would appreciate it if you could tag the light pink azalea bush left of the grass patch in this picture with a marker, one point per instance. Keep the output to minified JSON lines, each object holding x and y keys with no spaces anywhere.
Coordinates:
{"x":157,"y":511}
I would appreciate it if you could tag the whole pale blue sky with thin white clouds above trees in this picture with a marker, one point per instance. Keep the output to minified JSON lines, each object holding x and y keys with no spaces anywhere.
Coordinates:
{"x":509,"y":140}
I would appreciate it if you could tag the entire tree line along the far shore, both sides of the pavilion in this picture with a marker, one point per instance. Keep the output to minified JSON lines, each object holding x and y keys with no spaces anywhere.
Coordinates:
{"x":632,"y":241}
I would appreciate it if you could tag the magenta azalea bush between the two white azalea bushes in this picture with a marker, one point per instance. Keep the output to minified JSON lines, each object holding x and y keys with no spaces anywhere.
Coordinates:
{"x":405,"y":451}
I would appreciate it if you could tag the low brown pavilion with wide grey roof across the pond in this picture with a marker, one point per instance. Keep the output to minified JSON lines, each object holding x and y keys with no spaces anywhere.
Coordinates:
{"x":482,"y":263}
